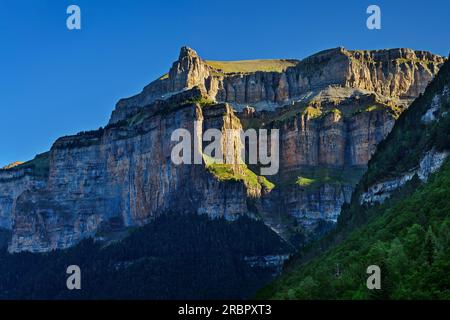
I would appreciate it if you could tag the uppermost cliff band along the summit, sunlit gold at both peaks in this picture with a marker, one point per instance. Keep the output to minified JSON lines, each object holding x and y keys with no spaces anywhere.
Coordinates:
{"x":395,"y":73}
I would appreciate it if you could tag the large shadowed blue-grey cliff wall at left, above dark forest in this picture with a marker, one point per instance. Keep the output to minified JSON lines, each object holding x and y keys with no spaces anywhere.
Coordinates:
{"x":123,"y":173}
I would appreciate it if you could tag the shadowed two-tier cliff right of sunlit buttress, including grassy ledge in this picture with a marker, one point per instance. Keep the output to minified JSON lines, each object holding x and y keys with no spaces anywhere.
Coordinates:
{"x":332,"y":152}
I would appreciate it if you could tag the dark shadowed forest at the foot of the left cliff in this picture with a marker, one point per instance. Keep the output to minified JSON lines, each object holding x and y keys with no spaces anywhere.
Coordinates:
{"x":174,"y":257}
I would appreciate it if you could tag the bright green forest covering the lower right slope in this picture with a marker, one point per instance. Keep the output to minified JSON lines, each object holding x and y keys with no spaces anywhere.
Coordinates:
{"x":408,"y":238}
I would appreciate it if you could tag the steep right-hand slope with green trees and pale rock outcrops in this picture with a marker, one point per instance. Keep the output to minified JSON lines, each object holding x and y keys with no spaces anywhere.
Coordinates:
{"x":398,"y":218}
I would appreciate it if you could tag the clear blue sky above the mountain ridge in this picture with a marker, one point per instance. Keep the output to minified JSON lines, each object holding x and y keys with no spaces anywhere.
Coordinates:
{"x":55,"y":82}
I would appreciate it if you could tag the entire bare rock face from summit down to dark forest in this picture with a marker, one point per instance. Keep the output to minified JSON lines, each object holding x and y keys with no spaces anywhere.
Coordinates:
{"x":332,"y":110}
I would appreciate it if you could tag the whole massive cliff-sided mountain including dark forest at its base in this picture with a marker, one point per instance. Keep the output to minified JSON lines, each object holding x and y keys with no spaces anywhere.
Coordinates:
{"x":115,"y":193}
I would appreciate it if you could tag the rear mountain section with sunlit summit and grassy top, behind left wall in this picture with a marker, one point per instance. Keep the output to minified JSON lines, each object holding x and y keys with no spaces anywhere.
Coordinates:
{"x":332,"y":109}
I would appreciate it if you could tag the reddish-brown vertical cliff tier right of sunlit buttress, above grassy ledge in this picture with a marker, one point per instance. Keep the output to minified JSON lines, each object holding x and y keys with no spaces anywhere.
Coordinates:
{"x":332,"y":140}
